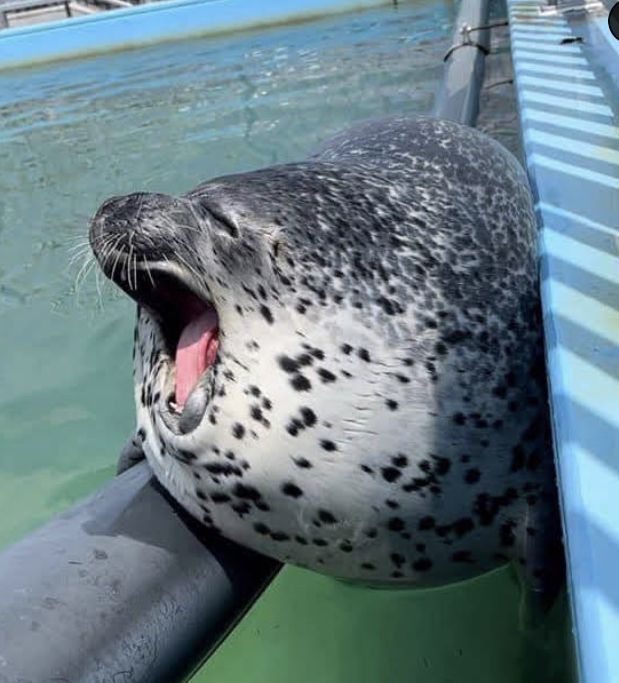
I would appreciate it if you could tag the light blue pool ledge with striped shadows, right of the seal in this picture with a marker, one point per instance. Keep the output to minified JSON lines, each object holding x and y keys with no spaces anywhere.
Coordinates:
{"x":568,"y":111}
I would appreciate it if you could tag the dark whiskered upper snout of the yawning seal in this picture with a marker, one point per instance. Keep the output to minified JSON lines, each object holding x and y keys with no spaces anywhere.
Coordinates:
{"x":144,"y":222}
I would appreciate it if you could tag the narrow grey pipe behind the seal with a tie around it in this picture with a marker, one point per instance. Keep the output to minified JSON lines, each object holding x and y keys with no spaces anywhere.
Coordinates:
{"x":458,"y":97}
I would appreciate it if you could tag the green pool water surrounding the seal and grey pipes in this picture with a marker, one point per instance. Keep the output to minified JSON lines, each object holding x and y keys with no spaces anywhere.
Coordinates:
{"x":164,"y":119}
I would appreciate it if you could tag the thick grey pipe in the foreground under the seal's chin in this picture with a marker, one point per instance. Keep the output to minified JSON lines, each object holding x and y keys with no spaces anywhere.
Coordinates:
{"x":122,"y":587}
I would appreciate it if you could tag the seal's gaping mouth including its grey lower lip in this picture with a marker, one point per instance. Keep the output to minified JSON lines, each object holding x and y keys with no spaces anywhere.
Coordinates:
{"x":188,"y":326}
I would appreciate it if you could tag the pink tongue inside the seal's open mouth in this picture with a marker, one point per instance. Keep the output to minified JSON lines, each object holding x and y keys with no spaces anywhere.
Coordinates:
{"x":196,"y":350}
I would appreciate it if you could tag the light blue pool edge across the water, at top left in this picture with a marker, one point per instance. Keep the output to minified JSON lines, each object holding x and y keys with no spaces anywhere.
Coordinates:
{"x":156,"y":22}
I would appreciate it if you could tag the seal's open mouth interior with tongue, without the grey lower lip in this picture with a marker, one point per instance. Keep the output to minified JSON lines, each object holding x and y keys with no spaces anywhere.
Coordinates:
{"x":188,"y":322}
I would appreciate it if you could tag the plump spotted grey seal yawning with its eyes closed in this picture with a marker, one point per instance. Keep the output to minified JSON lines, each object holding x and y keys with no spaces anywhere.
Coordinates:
{"x":339,"y":362}
